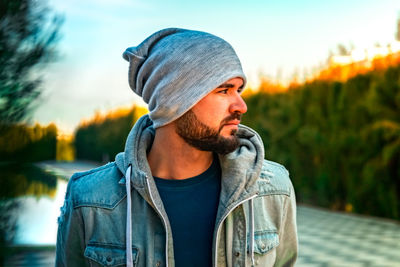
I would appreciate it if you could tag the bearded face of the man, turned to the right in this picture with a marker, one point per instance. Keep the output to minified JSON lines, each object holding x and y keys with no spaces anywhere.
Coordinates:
{"x":211,"y":125}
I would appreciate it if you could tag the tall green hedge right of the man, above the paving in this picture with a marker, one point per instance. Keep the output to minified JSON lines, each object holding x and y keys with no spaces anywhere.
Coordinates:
{"x":340,"y":140}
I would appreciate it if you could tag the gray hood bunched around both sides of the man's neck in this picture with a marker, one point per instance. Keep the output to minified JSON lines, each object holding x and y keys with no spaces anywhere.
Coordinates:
{"x":240,"y":168}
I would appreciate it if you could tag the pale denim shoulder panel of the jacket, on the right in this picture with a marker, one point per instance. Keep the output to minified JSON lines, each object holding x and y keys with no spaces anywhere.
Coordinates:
{"x":274,"y":179}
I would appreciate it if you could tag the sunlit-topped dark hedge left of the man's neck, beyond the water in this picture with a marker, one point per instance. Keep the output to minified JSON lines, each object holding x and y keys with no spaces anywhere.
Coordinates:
{"x":103,"y":137}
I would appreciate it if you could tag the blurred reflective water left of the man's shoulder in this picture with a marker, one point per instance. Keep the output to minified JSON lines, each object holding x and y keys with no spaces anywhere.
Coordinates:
{"x":31,"y":198}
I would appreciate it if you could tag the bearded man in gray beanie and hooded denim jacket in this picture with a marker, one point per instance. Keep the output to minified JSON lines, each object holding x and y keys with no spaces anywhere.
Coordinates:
{"x":192,"y":187}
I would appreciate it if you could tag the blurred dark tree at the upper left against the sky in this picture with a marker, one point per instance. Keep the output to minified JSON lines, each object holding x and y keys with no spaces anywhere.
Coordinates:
{"x":28,"y":34}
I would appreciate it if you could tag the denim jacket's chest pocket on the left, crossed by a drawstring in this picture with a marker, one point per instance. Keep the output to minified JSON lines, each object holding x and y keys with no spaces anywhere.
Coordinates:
{"x":109,"y":255}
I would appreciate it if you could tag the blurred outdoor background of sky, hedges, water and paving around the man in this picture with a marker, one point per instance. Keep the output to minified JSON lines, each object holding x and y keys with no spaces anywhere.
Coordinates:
{"x":323,"y":93}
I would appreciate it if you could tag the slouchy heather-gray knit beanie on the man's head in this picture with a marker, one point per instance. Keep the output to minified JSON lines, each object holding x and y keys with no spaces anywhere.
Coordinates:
{"x":173,"y":69}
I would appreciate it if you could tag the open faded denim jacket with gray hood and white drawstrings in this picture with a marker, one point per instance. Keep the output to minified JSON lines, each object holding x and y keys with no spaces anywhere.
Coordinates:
{"x":115,"y":217}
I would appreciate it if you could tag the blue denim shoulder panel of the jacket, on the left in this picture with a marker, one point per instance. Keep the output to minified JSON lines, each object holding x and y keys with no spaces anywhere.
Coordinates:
{"x":98,"y":187}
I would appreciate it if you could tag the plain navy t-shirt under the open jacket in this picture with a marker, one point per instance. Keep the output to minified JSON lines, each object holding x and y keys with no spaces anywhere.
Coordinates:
{"x":191,"y":205}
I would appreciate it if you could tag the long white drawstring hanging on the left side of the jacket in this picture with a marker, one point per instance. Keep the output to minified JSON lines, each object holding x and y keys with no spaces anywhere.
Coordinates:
{"x":129,"y":262}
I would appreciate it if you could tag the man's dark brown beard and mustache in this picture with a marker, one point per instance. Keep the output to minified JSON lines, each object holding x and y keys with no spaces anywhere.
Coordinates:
{"x":205,"y":138}
